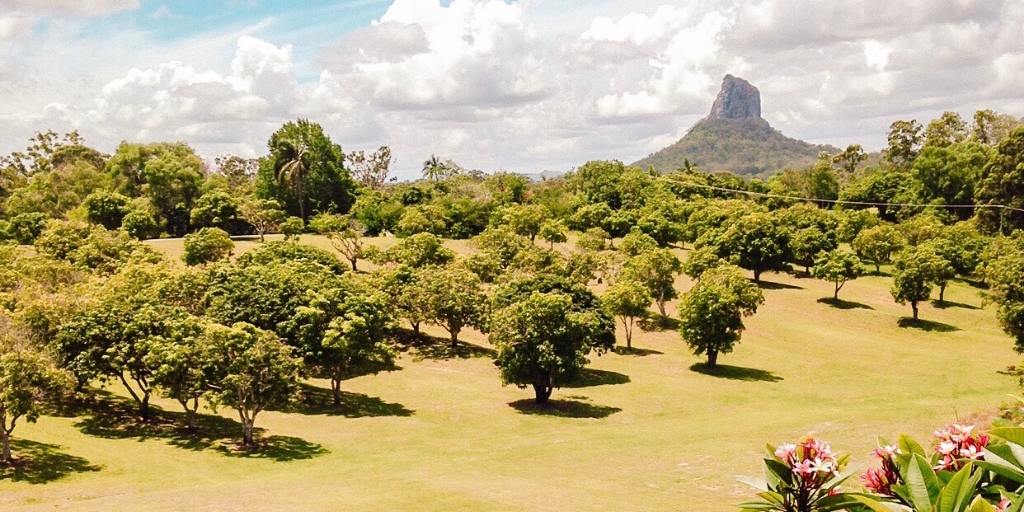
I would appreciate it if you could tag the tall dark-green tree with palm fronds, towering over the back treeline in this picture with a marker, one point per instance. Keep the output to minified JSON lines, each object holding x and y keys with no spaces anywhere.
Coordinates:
{"x":306,"y":172}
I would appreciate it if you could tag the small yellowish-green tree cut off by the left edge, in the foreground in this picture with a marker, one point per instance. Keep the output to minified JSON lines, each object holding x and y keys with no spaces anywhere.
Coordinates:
{"x":29,"y":382}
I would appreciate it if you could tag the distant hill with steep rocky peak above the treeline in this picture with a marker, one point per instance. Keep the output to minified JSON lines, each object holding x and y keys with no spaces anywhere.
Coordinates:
{"x":735,"y":138}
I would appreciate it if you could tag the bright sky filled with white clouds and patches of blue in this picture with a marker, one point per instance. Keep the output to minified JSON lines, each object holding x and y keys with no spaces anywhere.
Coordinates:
{"x":527,"y":87}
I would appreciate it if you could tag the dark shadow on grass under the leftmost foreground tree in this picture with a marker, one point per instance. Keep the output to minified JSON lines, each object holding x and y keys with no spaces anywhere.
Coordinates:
{"x":42,"y":463}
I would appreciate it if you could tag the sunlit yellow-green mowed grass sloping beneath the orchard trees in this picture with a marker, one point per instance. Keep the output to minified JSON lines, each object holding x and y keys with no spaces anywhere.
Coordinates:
{"x":647,"y":432}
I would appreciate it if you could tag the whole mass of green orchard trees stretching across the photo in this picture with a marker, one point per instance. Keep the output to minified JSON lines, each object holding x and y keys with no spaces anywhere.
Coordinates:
{"x":87,"y":304}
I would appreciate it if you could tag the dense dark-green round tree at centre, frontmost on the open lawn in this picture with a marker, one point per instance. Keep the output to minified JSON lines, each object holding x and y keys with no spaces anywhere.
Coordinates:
{"x":543,"y":342}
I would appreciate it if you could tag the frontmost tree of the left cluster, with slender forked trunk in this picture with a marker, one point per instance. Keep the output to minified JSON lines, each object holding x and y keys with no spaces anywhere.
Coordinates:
{"x":254,"y":371}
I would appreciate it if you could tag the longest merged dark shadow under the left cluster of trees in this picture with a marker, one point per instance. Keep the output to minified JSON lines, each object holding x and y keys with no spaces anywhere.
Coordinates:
{"x":116,"y":418}
